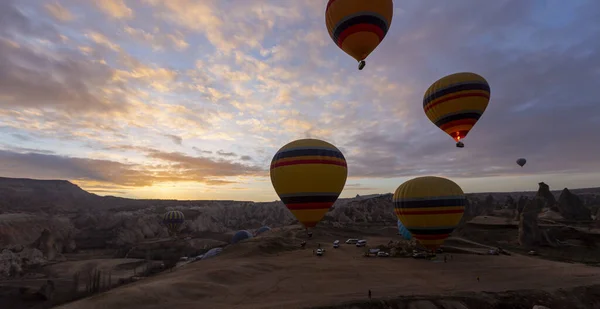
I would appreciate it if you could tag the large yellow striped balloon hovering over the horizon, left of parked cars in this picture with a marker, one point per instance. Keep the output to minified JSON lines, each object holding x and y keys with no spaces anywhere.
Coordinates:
{"x":308,"y":175}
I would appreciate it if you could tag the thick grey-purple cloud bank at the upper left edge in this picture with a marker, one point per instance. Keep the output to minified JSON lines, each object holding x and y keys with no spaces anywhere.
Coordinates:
{"x":33,"y":78}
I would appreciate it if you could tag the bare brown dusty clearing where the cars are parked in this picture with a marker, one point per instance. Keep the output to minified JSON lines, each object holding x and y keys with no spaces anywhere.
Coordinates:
{"x":245,"y":276}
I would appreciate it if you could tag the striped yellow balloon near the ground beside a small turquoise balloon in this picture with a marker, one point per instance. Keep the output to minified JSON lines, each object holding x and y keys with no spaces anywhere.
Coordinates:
{"x":430,"y":208}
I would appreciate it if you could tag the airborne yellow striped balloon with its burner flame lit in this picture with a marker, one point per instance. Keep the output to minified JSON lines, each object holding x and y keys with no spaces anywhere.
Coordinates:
{"x":455,"y":103}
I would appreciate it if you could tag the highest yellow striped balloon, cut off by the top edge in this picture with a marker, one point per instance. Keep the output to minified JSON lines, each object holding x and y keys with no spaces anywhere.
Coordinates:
{"x":358,"y":26}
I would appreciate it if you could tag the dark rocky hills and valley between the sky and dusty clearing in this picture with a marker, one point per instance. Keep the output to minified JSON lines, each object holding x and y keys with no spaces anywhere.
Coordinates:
{"x":45,"y":222}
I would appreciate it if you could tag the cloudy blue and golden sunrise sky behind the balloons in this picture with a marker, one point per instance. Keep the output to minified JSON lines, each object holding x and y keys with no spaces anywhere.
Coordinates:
{"x":190,"y":99}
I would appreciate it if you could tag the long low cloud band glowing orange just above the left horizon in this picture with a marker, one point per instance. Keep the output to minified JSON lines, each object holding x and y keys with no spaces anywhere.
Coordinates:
{"x":176,"y":167}
